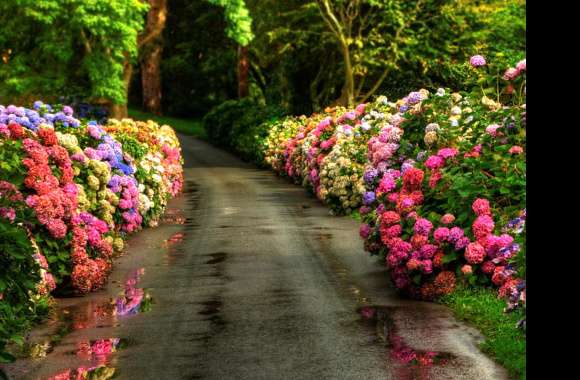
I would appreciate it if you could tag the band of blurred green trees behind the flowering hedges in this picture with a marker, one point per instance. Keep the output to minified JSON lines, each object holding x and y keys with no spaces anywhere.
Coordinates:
{"x":183,"y":57}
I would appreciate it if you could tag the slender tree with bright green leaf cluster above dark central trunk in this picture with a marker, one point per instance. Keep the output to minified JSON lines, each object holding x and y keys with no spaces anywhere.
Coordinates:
{"x":240,"y":30}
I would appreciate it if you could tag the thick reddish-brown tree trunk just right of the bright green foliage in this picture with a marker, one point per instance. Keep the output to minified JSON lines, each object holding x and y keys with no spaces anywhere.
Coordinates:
{"x":152,"y":47}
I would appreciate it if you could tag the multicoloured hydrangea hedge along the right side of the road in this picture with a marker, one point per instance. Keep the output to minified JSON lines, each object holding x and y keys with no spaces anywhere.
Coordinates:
{"x":438,"y":179}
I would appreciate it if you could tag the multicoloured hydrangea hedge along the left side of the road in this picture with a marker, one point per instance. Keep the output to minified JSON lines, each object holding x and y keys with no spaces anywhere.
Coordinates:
{"x":70,"y":192}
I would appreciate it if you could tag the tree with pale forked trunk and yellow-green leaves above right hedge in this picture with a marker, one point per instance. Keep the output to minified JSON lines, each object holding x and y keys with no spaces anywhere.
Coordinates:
{"x":382,"y":38}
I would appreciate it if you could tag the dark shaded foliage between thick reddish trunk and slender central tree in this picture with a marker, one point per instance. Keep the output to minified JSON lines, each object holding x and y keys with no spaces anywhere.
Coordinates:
{"x":198,"y":68}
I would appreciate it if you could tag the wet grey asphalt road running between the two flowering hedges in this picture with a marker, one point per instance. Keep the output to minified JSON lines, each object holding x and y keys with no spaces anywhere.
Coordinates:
{"x":251,"y":278}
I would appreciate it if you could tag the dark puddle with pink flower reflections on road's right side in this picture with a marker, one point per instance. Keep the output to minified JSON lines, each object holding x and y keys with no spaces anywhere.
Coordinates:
{"x":400,"y":351}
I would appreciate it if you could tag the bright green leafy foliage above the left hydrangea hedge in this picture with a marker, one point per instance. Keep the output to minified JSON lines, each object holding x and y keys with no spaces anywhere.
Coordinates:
{"x":77,"y":48}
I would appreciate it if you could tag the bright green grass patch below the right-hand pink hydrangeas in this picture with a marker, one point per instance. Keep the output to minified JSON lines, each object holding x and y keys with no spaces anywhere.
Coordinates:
{"x":481,"y":308}
